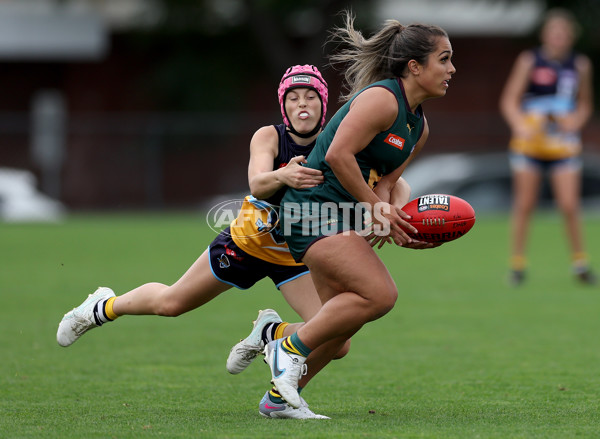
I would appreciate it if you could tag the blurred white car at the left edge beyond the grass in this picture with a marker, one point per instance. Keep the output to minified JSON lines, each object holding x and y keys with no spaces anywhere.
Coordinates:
{"x":21,"y":201}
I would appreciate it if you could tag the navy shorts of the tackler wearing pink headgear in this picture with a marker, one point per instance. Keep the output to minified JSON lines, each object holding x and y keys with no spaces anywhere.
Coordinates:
{"x":233,"y":266}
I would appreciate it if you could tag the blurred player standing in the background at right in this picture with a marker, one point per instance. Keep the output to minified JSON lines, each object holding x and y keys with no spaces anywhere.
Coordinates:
{"x":546,"y":101}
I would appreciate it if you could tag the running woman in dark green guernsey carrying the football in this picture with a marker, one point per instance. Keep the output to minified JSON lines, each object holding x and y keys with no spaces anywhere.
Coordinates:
{"x":368,"y":142}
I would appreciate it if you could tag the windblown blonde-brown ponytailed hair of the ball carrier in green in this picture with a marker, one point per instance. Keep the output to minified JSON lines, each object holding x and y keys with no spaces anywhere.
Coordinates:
{"x":384,"y":55}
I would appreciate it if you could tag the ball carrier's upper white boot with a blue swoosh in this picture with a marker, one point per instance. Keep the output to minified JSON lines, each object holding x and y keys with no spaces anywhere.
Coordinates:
{"x":286,"y":371}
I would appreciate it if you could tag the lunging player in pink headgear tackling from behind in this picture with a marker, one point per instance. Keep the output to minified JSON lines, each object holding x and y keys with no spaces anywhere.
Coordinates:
{"x":251,"y":249}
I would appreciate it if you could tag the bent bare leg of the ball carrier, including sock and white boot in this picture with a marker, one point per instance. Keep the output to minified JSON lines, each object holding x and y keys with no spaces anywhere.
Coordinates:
{"x":354,"y":292}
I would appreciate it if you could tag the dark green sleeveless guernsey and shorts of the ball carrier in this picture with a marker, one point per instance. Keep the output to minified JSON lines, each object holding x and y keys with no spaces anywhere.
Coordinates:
{"x":387,"y":151}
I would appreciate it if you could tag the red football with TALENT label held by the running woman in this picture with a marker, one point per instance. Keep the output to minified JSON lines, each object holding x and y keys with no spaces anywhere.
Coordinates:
{"x":439,"y":217}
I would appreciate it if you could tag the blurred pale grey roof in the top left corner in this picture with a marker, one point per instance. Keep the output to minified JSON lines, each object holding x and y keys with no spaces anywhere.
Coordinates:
{"x":59,"y":30}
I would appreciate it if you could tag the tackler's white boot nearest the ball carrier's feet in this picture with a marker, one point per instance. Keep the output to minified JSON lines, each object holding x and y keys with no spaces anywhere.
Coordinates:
{"x":243,"y":353}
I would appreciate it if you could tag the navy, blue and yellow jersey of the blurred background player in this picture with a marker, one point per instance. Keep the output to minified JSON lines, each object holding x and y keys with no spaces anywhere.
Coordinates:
{"x":550,"y":95}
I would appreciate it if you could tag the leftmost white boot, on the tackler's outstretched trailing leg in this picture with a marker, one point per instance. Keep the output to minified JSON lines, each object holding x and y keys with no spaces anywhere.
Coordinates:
{"x":81,"y":319}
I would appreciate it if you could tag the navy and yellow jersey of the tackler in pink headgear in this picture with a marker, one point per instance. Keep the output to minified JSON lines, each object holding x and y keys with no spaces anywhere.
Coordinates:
{"x":256,"y":229}
